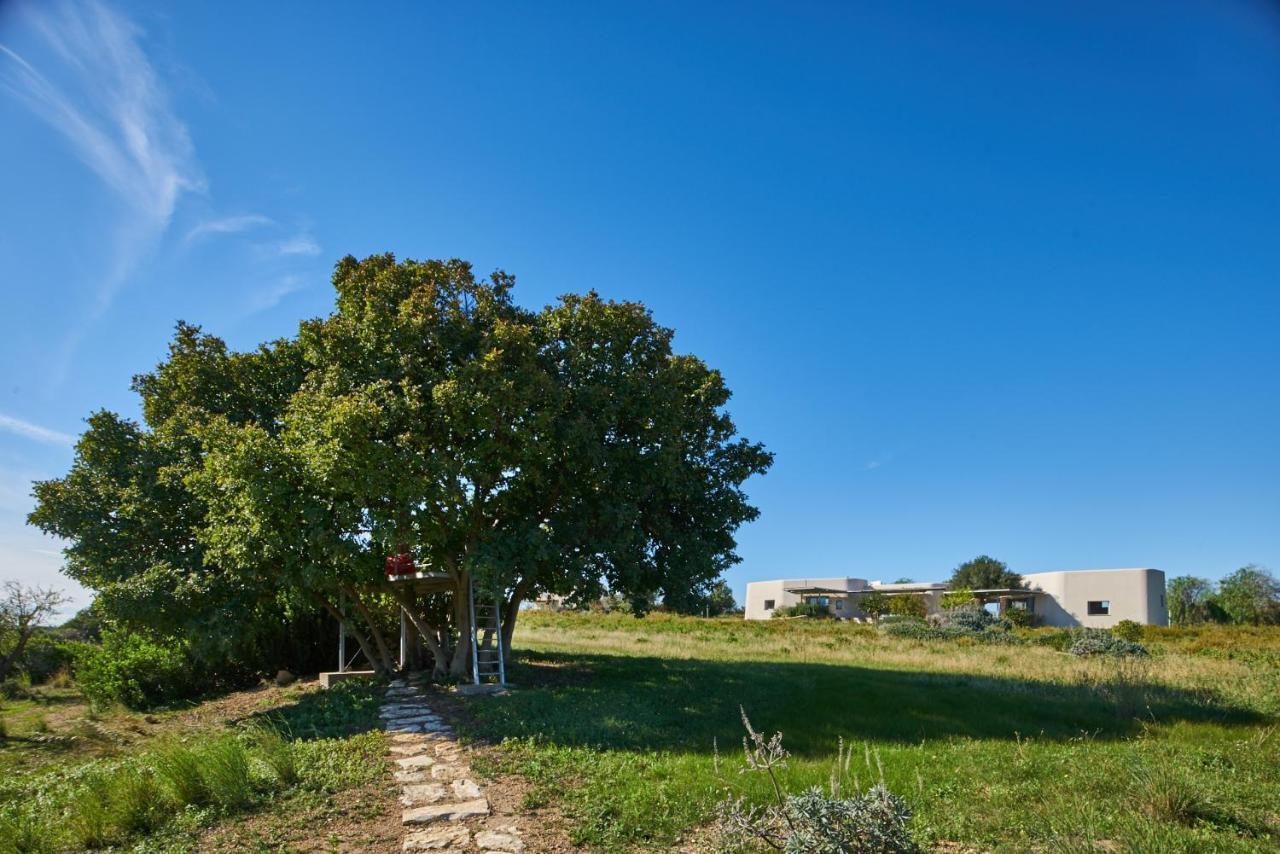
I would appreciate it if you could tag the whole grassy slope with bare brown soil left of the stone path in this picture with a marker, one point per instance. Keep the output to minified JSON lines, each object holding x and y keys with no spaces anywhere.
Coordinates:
{"x":264,"y":770}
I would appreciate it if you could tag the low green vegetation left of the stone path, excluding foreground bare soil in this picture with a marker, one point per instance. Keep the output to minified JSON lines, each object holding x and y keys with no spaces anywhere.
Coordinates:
{"x":89,"y":789}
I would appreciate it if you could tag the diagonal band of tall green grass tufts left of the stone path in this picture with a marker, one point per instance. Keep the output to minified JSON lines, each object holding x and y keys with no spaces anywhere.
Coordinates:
{"x":116,"y":802}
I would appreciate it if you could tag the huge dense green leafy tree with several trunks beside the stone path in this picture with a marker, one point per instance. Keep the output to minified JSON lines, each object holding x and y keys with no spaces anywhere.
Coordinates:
{"x":564,"y":451}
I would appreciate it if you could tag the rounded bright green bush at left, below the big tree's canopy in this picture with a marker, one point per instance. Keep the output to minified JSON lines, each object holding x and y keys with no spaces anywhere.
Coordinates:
{"x":132,"y":670}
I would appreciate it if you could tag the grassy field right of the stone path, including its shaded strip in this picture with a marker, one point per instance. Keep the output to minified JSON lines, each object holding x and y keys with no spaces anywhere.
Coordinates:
{"x":632,"y":729}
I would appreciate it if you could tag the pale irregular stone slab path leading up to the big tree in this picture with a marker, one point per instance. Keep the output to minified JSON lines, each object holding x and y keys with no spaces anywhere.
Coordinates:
{"x":445,"y":810}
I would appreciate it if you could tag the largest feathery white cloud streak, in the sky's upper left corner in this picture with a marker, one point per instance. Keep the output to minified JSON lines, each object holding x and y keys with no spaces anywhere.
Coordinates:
{"x":99,"y":92}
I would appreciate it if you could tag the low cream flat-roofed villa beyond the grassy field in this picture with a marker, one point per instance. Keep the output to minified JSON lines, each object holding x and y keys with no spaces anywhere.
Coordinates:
{"x":1096,"y":599}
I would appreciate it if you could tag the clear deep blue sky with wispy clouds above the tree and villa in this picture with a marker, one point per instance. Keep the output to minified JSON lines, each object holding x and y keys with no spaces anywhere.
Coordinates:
{"x":995,"y":277}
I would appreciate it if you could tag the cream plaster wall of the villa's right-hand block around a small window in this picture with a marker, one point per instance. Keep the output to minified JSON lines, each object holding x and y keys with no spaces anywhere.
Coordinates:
{"x":1132,"y":595}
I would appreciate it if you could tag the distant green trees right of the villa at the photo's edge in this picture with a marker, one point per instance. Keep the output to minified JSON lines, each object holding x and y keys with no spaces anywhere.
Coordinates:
{"x":1251,"y":596}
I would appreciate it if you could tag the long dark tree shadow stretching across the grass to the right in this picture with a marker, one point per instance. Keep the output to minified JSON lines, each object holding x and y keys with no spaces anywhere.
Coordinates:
{"x":679,"y":705}
